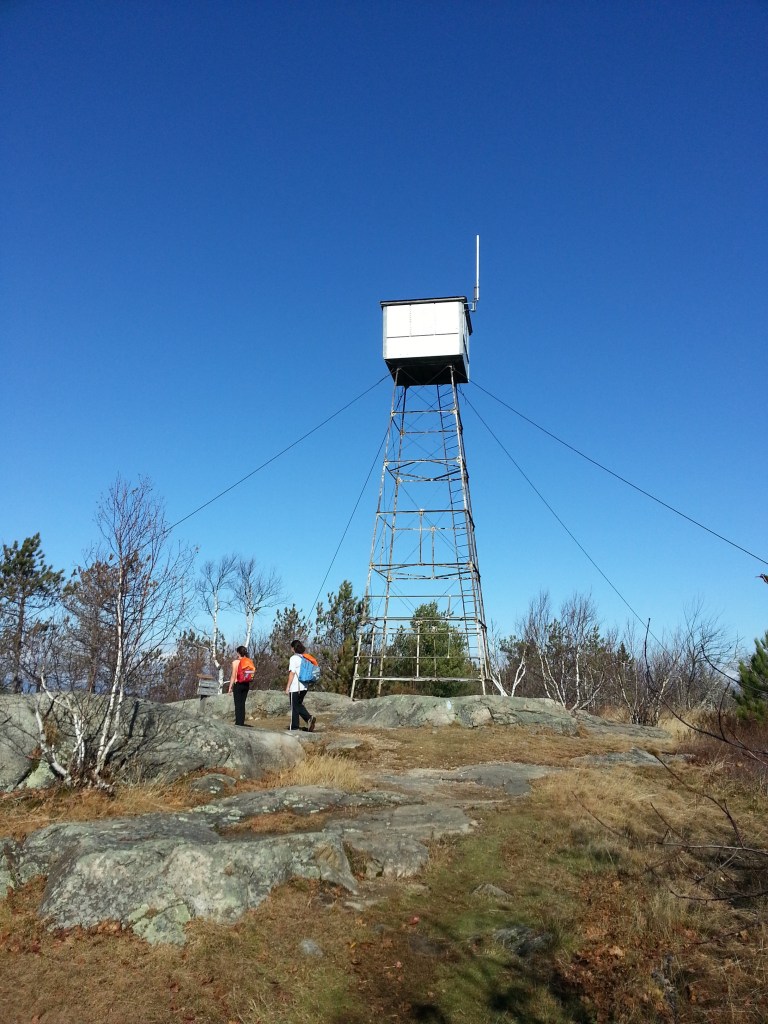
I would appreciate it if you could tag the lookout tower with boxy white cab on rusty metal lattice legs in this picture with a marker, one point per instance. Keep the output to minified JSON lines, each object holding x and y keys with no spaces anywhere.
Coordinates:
{"x":425,"y":631}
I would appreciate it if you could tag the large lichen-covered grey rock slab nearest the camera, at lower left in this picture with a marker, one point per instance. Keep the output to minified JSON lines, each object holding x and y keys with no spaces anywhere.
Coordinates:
{"x":155,"y":873}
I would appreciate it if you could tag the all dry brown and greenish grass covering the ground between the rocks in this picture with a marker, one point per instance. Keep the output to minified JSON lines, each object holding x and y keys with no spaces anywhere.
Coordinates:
{"x":580,"y":860}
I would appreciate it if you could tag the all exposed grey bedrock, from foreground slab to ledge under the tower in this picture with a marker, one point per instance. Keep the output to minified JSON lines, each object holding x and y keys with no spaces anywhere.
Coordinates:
{"x":155,"y":873}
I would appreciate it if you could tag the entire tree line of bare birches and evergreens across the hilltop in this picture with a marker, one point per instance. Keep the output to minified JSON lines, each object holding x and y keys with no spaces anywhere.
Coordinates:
{"x":138,"y":618}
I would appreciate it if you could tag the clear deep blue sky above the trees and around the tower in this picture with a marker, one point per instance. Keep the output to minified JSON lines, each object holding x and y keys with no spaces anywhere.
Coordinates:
{"x":204,"y":203}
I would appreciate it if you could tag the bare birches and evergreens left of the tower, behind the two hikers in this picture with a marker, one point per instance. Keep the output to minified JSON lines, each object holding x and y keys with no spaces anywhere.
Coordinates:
{"x":138,"y":617}
